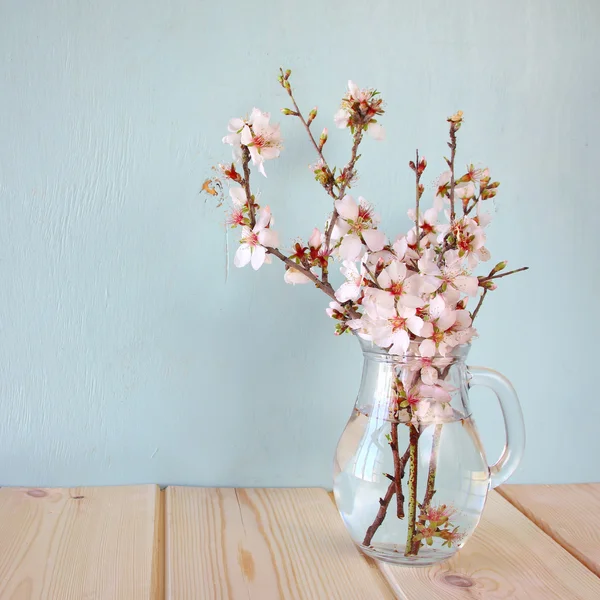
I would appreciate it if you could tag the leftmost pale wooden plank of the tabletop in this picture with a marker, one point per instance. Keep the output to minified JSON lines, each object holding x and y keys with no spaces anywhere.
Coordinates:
{"x":69,"y":544}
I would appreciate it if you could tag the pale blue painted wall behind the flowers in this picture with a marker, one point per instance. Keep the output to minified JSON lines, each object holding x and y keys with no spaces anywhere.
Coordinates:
{"x":127,"y":354}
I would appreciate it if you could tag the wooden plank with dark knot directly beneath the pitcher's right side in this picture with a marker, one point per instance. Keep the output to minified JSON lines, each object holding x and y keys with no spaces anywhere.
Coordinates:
{"x":507,"y":557}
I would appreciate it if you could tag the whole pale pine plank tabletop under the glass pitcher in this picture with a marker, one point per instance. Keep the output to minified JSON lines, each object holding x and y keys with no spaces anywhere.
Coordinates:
{"x":199,"y":543}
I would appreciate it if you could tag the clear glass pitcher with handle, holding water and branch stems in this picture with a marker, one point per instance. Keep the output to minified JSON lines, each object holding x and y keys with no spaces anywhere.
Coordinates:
{"x":410,"y":473}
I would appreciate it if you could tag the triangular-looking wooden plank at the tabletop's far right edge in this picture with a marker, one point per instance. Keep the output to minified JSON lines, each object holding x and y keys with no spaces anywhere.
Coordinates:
{"x":567,"y":513}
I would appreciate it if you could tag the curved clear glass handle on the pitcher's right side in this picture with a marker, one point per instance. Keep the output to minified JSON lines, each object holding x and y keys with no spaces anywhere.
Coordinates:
{"x":513,"y":421}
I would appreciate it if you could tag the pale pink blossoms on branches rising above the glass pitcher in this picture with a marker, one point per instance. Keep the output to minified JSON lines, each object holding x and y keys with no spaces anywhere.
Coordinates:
{"x":406,"y":294}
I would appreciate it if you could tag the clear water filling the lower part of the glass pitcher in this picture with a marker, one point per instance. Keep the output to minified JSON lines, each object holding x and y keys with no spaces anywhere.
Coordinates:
{"x":363,"y":463}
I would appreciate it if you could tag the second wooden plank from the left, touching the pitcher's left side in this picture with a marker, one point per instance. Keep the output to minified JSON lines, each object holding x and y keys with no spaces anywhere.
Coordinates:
{"x":262,"y":545}
